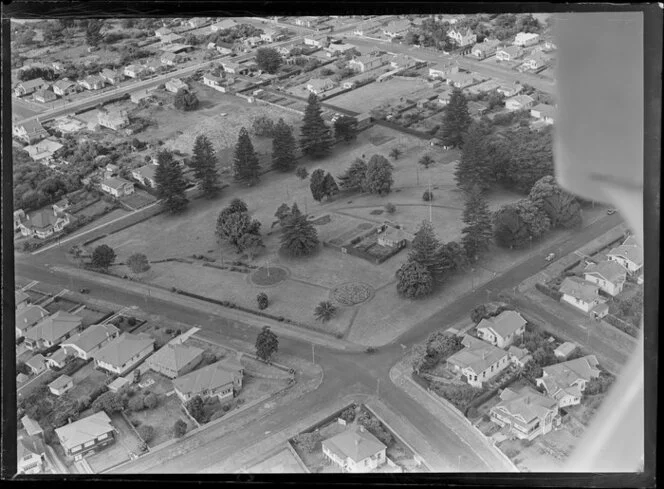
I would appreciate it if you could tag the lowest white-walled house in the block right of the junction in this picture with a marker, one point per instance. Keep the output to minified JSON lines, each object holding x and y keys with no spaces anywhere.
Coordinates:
{"x":526,"y":413}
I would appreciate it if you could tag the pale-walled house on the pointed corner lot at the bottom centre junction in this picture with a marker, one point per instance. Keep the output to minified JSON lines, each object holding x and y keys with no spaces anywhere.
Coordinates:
{"x":355,"y":450}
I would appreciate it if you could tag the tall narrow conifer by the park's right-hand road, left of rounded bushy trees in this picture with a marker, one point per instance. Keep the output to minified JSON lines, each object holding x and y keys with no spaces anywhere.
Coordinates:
{"x":477,"y":234}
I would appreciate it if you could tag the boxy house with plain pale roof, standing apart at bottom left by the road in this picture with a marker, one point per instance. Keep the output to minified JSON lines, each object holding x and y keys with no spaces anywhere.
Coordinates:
{"x":86,"y":435}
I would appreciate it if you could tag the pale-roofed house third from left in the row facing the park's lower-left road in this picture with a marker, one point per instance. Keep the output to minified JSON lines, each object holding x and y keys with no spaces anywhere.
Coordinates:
{"x":123,"y":353}
